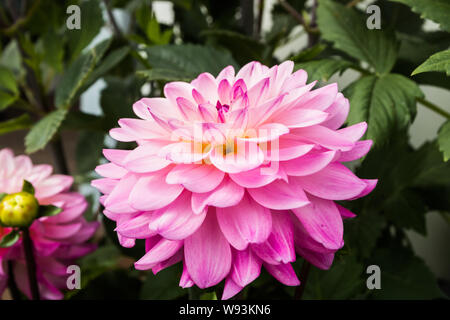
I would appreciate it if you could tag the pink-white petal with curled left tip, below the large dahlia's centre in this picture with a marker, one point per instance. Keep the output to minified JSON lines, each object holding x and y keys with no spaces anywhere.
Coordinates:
{"x":226,"y":194}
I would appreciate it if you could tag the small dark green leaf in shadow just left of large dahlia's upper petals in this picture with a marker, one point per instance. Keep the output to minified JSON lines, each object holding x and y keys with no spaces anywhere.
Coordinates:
{"x":89,"y":143}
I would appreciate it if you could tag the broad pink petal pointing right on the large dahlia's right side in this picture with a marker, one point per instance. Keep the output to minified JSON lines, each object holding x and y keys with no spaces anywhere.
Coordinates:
{"x":334,"y":182}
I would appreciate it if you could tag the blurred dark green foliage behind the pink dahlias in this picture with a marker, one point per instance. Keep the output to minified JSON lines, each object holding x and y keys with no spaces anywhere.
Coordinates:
{"x":45,"y":68}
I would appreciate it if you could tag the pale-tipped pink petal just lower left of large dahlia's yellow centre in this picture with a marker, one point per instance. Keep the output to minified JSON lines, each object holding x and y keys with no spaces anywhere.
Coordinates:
{"x":196,"y":178}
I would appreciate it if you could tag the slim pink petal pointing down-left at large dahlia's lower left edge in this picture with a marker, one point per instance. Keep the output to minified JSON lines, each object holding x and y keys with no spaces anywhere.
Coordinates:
{"x":163,"y":250}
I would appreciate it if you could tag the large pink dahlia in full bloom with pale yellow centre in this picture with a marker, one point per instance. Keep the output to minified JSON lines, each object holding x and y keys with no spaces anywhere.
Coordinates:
{"x":235,"y":172}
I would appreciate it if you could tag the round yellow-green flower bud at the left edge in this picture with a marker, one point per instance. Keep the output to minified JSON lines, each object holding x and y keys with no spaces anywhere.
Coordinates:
{"x":18,"y":209}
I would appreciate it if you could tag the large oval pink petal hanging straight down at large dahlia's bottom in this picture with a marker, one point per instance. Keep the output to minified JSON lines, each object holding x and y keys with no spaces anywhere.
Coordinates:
{"x":207,"y":254}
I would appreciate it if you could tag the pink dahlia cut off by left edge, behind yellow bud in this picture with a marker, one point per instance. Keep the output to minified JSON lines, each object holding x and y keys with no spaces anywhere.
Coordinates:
{"x":58,"y":240}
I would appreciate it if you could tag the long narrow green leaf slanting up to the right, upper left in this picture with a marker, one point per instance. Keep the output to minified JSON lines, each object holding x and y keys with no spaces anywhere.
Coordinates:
{"x":77,"y":75}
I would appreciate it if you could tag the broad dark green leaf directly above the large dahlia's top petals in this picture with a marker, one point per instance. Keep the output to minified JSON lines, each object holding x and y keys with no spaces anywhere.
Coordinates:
{"x":189,"y":58}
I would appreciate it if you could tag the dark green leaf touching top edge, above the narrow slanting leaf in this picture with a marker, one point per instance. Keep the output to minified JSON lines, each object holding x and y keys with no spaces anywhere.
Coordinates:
{"x":91,"y":23}
